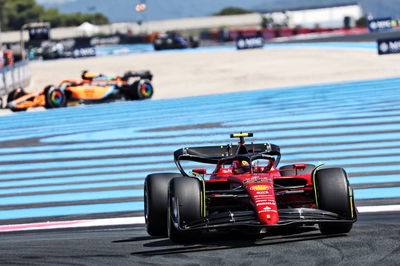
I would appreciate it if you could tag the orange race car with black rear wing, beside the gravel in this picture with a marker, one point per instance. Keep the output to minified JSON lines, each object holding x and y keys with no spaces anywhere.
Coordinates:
{"x":92,"y":88}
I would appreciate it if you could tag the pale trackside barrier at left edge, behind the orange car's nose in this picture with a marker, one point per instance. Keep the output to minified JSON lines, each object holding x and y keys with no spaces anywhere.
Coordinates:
{"x":15,"y":76}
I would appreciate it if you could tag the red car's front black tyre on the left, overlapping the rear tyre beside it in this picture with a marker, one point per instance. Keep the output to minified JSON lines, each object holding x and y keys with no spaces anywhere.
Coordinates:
{"x":184,"y":207}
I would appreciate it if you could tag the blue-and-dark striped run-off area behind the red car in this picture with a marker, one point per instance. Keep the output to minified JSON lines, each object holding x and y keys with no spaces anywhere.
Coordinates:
{"x":90,"y":162}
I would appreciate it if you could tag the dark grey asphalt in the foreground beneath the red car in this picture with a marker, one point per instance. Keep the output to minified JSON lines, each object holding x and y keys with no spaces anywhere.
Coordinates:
{"x":374,"y":240}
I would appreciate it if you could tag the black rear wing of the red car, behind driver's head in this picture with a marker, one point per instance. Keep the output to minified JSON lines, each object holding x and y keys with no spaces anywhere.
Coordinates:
{"x":212,"y":154}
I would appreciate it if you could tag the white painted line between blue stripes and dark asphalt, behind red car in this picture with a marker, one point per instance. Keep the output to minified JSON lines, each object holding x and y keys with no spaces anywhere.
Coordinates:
{"x":138,"y":220}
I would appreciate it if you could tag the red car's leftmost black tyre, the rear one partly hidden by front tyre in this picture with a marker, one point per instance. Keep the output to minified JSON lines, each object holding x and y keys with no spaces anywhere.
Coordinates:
{"x":156,"y":202}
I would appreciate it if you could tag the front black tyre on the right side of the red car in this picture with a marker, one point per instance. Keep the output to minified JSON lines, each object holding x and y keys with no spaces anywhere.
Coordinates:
{"x":333,"y":193}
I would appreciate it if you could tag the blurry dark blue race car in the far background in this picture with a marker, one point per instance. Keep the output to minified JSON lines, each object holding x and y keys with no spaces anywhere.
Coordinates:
{"x":173,"y":40}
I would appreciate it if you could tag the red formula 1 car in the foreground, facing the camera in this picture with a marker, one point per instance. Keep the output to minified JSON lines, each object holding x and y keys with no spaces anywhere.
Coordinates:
{"x":245,"y":191}
